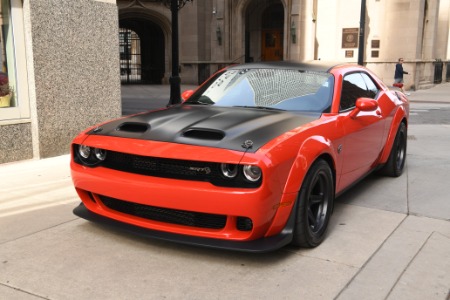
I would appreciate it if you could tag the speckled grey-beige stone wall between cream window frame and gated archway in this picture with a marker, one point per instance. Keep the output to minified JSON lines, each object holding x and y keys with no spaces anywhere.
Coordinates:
{"x":76,"y":69}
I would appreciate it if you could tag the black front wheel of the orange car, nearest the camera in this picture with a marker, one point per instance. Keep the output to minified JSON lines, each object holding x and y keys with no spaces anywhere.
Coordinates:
{"x":315,"y":204}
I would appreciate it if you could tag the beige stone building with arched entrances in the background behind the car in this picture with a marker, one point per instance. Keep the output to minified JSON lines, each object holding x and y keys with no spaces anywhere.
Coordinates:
{"x":217,"y":33}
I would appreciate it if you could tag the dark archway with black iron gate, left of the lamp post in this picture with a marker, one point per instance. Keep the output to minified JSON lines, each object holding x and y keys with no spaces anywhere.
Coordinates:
{"x":142,"y":51}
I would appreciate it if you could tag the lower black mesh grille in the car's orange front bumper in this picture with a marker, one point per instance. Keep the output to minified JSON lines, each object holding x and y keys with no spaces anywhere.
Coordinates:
{"x":173,"y":216}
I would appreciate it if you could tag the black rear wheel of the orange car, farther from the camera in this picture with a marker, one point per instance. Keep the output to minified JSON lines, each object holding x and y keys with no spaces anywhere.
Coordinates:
{"x":397,"y":157}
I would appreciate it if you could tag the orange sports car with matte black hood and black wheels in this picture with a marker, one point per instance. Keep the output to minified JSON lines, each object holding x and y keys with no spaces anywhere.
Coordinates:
{"x":252,"y":160}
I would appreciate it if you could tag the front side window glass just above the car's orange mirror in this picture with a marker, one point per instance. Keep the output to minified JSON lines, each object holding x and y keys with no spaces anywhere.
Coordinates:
{"x":353,"y":87}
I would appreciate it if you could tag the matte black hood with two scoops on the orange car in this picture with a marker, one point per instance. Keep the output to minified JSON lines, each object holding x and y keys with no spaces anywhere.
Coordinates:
{"x":221,"y":127}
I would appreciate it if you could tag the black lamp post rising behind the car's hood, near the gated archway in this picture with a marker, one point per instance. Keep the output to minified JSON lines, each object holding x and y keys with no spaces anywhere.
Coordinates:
{"x":175,"y":81}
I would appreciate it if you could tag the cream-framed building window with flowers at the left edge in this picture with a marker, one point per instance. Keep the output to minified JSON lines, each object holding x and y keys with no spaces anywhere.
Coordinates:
{"x":13,"y":70}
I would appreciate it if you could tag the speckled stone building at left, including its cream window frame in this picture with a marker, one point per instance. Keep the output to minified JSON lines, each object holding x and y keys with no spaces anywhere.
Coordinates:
{"x":61,"y":58}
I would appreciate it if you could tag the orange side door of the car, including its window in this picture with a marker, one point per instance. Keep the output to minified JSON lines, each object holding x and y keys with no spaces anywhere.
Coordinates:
{"x":363,"y":134}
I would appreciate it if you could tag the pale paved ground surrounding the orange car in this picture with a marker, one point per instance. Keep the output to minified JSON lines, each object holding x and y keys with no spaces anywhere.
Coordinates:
{"x":389,"y":238}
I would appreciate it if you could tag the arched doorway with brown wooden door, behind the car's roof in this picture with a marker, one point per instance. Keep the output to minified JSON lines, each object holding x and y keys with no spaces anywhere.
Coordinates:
{"x":264,"y":30}
